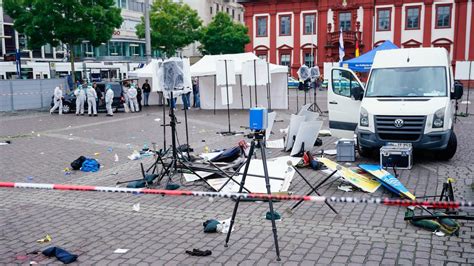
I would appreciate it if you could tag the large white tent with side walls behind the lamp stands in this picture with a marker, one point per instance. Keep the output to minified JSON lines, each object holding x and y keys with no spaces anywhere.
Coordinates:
{"x":244,"y":96}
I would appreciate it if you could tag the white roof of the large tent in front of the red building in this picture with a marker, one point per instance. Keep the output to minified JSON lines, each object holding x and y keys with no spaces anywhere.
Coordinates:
{"x":207,"y":65}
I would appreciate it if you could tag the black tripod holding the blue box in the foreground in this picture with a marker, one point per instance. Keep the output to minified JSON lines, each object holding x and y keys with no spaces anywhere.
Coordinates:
{"x":258,"y":140}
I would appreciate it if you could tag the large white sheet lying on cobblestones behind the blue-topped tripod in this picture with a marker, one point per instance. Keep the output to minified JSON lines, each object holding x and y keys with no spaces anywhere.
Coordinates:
{"x":277,"y":167}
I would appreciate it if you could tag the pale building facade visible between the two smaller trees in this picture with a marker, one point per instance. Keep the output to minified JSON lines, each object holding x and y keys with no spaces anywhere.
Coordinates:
{"x":207,"y":9}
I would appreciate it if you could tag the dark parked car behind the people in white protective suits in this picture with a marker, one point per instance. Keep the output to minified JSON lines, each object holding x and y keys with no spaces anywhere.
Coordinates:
{"x":69,"y":101}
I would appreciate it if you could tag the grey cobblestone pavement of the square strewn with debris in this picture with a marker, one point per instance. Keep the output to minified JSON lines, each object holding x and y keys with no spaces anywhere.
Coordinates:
{"x":93,"y":225}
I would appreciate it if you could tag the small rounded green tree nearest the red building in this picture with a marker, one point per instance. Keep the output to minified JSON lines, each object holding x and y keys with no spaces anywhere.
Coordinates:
{"x":224,"y":36}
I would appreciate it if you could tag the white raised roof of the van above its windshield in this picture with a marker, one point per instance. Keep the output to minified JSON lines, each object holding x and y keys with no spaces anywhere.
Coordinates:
{"x":411,"y":57}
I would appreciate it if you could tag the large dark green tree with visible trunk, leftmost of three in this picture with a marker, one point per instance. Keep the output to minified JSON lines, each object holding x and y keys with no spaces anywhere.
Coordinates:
{"x":64,"y":21}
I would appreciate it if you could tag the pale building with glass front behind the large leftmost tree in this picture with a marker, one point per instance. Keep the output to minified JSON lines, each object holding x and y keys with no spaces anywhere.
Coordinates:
{"x":124,"y":45}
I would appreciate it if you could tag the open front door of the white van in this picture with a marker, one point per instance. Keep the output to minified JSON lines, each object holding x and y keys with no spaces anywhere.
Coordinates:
{"x":343,"y":108}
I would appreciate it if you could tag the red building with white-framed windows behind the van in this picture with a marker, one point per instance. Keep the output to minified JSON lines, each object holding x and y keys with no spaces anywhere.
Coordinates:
{"x":293,"y":32}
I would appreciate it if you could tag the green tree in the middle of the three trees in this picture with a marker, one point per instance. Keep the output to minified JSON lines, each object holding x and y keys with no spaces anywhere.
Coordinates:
{"x":173,"y":25}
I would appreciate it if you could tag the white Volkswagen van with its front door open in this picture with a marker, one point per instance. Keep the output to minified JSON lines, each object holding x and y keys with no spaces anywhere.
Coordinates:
{"x":409,"y":98}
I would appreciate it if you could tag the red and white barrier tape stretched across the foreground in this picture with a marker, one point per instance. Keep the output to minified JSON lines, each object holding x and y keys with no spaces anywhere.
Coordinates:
{"x":384,"y":201}
